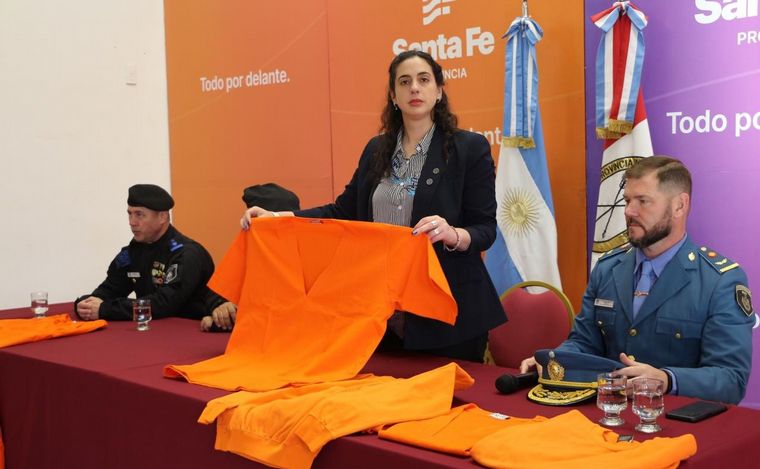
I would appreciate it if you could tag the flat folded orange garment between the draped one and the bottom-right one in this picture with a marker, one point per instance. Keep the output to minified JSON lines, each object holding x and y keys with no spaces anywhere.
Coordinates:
{"x":454,"y":432}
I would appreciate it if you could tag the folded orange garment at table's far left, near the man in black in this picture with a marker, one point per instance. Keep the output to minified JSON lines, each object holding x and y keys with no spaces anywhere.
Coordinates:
{"x":21,"y":331}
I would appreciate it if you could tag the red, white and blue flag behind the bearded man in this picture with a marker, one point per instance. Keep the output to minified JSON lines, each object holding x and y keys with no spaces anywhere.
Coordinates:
{"x":620,"y":117}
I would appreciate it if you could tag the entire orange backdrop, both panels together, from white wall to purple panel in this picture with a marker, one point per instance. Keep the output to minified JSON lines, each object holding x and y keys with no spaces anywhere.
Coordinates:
{"x":308,"y":133}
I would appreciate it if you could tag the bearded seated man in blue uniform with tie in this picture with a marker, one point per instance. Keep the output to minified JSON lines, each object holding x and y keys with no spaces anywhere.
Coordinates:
{"x":663,"y":306}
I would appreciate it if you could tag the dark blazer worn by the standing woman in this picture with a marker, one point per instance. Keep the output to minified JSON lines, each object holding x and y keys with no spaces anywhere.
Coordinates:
{"x":462,"y":191}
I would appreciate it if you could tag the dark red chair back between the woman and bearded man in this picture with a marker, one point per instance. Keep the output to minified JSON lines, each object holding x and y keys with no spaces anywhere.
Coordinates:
{"x":535,"y":321}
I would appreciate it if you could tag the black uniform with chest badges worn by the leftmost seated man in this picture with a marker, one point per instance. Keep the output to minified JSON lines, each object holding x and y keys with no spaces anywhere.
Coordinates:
{"x":172,"y":272}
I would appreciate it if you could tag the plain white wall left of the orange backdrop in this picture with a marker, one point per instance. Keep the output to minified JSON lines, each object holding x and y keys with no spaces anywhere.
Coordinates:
{"x":74,"y":136}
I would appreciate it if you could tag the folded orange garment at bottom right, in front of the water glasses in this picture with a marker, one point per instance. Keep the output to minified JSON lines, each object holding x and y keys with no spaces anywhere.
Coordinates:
{"x":572,"y":440}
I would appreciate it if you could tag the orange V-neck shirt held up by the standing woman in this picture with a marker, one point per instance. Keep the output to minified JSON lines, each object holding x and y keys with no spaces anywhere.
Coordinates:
{"x":313,"y":300}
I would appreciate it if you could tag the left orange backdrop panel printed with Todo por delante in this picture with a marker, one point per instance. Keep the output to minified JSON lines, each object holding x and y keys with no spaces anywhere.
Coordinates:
{"x":264,"y":118}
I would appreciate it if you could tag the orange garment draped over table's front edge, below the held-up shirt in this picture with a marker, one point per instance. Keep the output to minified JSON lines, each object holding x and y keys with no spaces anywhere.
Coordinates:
{"x":288,"y":427}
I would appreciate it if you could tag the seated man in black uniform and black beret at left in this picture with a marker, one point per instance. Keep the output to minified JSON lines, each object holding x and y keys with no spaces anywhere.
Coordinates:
{"x":160,"y":263}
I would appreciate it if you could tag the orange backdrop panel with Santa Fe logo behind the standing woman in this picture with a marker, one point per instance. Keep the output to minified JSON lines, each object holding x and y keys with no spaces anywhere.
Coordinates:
{"x":365,"y":36}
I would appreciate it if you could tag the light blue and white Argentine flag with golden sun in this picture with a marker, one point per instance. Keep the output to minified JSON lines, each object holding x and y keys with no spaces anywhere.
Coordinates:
{"x":526,"y":241}
